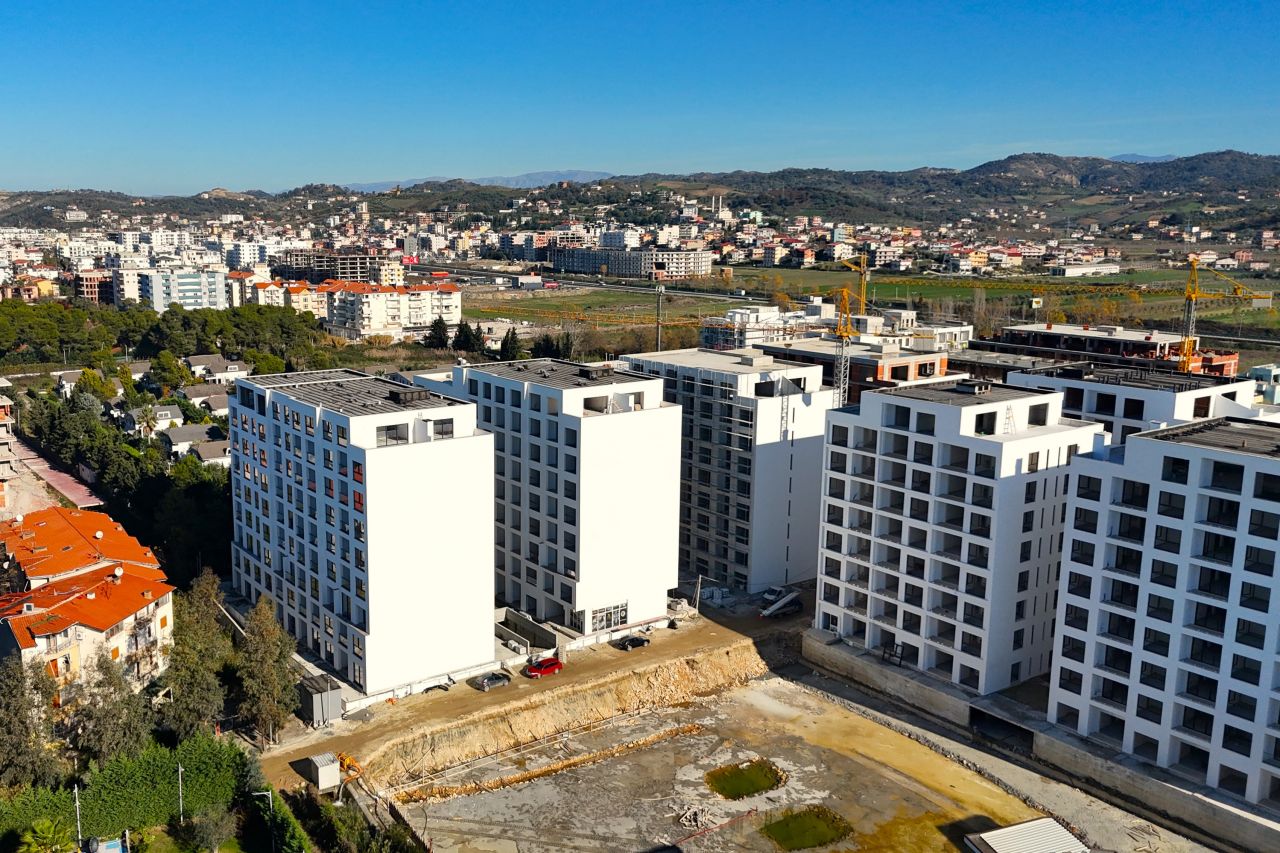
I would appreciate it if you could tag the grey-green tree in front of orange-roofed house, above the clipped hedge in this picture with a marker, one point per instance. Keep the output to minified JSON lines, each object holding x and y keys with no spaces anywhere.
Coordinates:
{"x":109,"y":719}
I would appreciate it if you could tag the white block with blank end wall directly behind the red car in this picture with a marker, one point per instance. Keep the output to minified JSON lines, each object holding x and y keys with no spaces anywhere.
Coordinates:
{"x":587,"y":475}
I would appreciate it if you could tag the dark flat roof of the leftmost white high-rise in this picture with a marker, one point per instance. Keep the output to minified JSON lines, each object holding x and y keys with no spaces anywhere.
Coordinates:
{"x":353,"y":393}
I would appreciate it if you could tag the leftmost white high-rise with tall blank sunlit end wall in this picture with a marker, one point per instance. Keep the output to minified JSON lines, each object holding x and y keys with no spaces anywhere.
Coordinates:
{"x":337,"y":486}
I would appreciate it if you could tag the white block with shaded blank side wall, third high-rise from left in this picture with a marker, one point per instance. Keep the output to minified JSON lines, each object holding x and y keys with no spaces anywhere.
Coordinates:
{"x":752,"y":450}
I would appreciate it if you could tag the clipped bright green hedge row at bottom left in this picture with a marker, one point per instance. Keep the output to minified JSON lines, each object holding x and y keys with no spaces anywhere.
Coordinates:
{"x":131,"y":793}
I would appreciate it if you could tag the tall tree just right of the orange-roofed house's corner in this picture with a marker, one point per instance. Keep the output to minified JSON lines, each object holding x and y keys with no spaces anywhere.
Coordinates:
{"x":200,"y":650}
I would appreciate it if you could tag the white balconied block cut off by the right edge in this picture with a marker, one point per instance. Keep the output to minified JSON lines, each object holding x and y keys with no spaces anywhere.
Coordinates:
{"x":1168,"y":614}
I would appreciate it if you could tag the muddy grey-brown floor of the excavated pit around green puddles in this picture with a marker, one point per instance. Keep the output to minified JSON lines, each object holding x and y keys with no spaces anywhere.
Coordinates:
{"x":651,"y":791}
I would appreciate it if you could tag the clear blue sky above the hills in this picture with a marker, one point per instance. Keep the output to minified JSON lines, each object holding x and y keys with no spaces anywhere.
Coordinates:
{"x":157,"y":98}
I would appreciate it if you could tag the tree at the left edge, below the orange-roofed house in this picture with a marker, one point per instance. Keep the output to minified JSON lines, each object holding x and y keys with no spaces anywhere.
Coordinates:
{"x":26,"y":727}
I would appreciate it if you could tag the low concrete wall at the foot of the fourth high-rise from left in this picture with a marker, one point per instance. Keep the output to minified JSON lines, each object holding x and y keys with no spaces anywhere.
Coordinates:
{"x":866,"y":669}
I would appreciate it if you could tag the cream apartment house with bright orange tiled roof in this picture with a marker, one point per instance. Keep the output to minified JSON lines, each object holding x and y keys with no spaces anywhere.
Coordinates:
{"x":80,"y":585}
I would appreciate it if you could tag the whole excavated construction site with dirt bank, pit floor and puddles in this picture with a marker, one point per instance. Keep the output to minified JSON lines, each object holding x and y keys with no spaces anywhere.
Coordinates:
{"x":716,"y":737}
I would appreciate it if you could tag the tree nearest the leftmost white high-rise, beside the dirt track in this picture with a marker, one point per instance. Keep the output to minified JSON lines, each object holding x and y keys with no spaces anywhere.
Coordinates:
{"x":267,"y":670}
